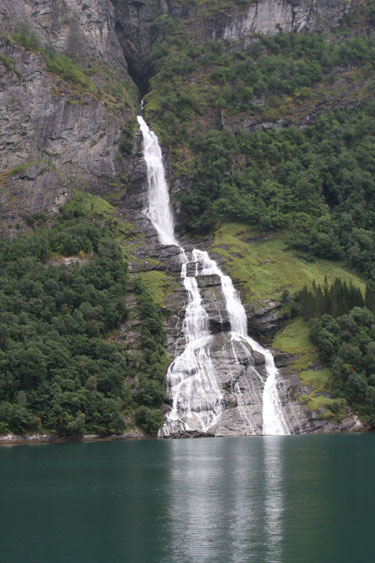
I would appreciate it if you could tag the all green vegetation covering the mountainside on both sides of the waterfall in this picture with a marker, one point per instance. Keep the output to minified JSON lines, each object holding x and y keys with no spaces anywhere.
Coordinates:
{"x":274,"y":144}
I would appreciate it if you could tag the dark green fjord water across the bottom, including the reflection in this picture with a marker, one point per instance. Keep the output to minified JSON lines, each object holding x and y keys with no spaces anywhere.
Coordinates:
{"x":290,"y":499}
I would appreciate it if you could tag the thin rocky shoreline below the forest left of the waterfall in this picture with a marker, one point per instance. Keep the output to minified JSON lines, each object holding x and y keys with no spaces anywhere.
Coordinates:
{"x":37,"y":439}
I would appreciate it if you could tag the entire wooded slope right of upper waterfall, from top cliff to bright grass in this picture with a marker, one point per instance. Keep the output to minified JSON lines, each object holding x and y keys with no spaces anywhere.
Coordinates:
{"x":316,"y":181}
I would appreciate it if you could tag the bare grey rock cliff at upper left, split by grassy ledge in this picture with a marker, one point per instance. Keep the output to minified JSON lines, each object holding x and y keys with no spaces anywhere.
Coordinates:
{"x":71,"y":135}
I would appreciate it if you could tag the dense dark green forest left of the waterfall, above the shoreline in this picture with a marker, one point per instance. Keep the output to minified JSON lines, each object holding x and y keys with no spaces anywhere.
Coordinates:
{"x":57,"y":370}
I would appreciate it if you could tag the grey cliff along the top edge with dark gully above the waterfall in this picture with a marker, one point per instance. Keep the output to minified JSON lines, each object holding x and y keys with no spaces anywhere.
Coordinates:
{"x":231,"y":21}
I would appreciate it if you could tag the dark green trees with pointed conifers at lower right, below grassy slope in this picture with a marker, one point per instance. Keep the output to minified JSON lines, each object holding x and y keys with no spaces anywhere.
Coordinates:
{"x":342,"y":325}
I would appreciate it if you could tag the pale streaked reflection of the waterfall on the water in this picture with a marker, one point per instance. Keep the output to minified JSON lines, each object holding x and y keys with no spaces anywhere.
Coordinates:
{"x":225,"y":500}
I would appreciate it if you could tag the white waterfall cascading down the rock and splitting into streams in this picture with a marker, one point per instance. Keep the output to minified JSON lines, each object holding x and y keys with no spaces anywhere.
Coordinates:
{"x":199,"y":402}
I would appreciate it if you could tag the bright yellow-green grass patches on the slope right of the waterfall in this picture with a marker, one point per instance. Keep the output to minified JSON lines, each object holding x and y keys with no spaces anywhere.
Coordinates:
{"x":265,"y":268}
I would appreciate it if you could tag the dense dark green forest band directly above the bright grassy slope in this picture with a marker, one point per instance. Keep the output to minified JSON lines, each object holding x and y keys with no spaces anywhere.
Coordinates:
{"x":292,"y":178}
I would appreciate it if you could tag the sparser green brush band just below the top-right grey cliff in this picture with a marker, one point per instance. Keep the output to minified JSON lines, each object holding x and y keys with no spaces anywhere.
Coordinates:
{"x":194,"y":78}
